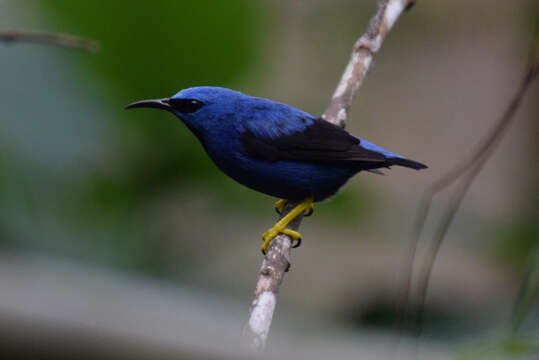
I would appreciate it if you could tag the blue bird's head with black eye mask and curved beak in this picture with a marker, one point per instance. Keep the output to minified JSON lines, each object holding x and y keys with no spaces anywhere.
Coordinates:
{"x":201,"y":108}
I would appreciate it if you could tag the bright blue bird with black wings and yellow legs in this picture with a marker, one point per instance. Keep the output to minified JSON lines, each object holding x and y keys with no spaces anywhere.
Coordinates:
{"x":275,"y":148}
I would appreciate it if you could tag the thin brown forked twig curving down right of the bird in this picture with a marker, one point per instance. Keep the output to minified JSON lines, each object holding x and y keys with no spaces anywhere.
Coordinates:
{"x":468,"y":170}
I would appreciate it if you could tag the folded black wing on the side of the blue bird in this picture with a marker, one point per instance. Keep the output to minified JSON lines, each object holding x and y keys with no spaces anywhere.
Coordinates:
{"x":320,"y":142}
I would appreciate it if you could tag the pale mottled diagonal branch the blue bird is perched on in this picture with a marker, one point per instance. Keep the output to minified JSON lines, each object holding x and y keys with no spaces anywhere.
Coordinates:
{"x":277,"y":260}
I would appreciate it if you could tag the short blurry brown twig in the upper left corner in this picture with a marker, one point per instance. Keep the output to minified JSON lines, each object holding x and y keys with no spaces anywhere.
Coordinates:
{"x":62,"y":40}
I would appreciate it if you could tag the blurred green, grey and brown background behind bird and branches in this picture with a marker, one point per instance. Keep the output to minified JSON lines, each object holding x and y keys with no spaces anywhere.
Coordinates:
{"x":120,"y":238}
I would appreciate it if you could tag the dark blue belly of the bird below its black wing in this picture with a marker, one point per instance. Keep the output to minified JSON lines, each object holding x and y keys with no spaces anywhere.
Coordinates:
{"x":286,"y":179}
